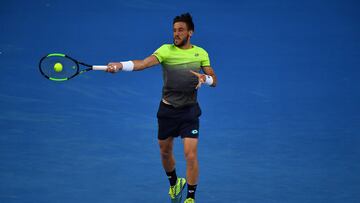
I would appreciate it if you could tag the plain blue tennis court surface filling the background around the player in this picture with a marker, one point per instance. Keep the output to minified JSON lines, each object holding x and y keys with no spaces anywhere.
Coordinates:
{"x":281,"y":126}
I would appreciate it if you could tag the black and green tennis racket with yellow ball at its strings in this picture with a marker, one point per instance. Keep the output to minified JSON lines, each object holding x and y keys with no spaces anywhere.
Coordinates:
{"x":60,"y":67}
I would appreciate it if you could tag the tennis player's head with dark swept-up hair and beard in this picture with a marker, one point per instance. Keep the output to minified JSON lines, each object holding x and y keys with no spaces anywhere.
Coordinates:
{"x":183,"y":28}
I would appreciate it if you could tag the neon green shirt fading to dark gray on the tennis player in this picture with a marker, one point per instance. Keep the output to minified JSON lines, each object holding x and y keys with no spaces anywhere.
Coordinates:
{"x":179,"y":83}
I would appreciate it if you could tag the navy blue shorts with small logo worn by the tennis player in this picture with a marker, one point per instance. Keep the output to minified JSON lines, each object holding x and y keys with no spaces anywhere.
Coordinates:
{"x":174,"y":122}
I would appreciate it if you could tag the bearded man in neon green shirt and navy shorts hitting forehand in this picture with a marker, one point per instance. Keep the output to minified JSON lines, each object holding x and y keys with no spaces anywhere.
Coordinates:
{"x":179,"y":111}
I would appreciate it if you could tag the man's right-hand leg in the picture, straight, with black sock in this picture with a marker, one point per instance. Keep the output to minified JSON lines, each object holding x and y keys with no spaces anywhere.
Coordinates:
{"x":192,"y":165}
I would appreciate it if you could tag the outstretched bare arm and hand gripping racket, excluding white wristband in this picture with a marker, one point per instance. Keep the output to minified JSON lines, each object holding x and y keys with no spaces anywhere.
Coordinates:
{"x":148,"y":62}
